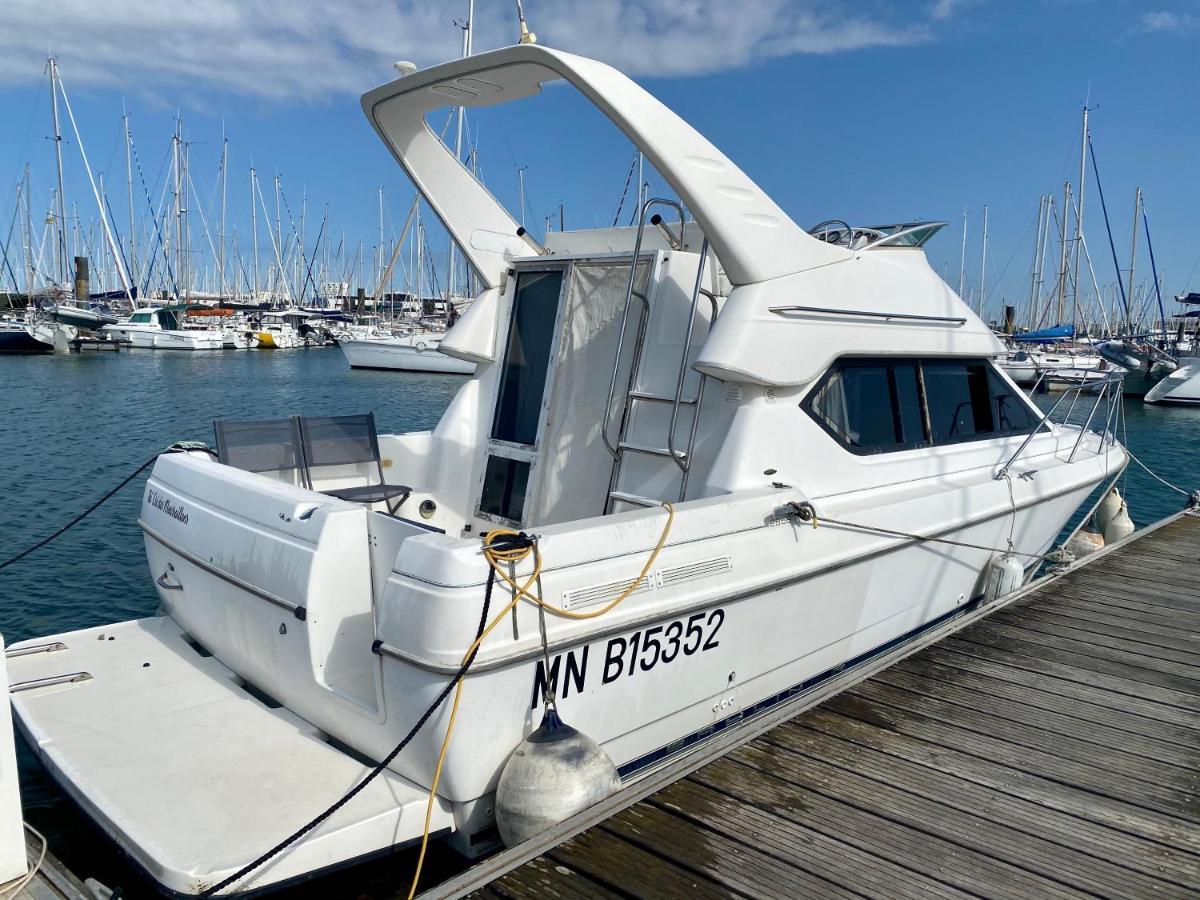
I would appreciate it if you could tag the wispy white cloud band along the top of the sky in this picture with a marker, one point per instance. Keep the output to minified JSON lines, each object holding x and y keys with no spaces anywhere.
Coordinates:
{"x":303,"y":50}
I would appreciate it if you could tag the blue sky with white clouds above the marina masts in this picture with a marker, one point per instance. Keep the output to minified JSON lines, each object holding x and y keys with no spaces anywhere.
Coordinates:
{"x":871,"y":113}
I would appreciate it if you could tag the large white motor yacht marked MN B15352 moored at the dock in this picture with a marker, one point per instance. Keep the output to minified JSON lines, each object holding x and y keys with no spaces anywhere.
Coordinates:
{"x":733,"y":448}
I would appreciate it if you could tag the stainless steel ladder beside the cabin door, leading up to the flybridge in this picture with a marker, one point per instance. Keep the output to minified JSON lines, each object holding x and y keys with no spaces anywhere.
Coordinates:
{"x":682,"y":458}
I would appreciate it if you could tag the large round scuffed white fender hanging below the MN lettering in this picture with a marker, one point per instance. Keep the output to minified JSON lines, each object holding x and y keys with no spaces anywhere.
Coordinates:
{"x":554,"y":773}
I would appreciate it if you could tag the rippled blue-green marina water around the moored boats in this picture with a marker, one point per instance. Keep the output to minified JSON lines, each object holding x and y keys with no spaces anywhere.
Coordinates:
{"x":75,"y":427}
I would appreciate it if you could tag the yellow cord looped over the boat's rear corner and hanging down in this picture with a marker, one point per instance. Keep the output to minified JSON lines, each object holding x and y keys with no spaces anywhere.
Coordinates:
{"x":495,"y":559}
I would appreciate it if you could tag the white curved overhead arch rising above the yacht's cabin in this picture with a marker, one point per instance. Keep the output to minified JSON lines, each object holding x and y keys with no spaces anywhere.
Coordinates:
{"x":751,"y":235}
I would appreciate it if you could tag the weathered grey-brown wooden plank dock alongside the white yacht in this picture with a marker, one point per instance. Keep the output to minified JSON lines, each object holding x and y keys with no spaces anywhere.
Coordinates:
{"x":1047,"y":747}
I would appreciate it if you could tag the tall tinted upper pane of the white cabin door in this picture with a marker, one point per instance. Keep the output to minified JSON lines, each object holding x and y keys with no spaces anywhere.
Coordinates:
{"x":527,"y":358}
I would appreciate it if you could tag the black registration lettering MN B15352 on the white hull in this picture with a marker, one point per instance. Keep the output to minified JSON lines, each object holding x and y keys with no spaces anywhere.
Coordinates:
{"x":629,"y":655}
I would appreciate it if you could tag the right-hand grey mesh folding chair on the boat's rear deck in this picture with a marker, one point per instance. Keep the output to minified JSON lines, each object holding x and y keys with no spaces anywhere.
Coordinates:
{"x":347,"y":440}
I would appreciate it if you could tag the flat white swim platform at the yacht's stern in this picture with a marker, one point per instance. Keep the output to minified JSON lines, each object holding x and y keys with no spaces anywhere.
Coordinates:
{"x":194,"y":776}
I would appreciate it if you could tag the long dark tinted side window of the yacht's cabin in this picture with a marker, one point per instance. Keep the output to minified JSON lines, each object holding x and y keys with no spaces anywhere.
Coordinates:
{"x":878,"y":406}
